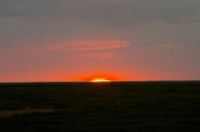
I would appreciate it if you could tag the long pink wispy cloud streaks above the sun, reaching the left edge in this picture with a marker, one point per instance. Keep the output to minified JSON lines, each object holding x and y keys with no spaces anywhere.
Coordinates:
{"x":47,"y":46}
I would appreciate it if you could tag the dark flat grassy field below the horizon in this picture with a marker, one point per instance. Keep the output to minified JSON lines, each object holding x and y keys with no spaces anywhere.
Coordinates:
{"x":119,"y":106}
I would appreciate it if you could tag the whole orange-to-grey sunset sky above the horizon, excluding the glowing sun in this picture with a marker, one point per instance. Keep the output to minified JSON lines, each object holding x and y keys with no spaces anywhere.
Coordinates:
{"x":122,"y":40}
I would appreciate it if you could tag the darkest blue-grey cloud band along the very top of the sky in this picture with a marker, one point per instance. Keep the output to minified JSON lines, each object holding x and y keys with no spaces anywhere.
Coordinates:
{"x":112,"y":12}
